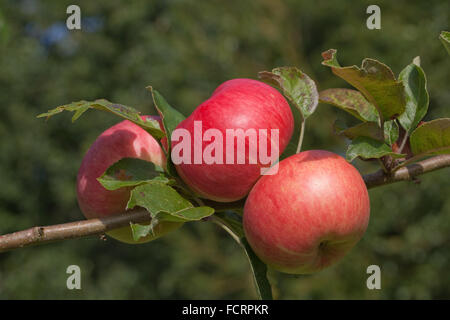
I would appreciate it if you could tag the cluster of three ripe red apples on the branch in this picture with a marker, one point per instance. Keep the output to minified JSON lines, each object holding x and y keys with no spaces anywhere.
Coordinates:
{"x":306,"y":213}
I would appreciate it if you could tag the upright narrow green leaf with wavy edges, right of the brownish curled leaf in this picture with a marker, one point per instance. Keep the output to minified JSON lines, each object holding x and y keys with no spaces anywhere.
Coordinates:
{"x":415,"y":83}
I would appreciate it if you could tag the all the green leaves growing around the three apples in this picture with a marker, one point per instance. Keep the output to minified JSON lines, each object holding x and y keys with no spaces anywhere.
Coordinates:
{"x":390,"y":110}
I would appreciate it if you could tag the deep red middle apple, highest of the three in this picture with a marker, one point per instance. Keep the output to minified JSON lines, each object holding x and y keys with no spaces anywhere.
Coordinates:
{"x":236,"y":104}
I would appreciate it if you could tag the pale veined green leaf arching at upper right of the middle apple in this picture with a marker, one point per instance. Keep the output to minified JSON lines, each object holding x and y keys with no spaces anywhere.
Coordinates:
{"x":296,"y":86}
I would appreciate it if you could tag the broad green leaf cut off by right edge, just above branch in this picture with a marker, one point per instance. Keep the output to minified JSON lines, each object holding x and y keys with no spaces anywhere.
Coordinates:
{"x":431,"y":138}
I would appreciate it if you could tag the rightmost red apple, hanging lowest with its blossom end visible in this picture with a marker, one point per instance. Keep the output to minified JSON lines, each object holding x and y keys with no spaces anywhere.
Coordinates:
{"x":309,"y":214}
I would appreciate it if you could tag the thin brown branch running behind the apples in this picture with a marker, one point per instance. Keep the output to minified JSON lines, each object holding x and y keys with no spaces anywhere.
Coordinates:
{"x":79,"y":229}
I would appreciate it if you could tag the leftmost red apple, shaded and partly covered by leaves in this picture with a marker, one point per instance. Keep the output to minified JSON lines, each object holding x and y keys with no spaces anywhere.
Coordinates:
{"x":123,"y":140}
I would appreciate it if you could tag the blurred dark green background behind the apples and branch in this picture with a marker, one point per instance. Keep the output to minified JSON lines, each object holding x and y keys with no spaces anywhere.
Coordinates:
{"x":185,"y":49}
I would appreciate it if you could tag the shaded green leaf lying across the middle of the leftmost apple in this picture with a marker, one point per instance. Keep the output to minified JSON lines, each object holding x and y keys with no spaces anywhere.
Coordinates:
{"x":131,"y":172}
